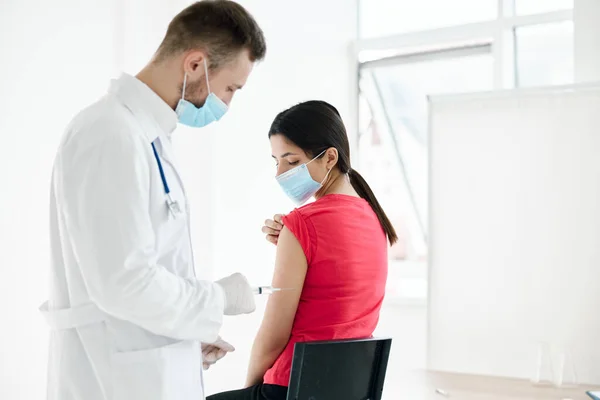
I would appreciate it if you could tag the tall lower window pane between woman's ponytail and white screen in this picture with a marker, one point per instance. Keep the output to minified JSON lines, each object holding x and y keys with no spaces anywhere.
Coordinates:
{"x":393,"y":146}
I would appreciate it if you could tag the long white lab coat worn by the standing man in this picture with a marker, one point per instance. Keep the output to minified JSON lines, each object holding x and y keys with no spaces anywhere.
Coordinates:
{"x":126,"y":311}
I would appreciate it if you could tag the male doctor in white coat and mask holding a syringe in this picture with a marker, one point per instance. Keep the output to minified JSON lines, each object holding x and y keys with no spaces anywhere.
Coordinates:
{"x":127,"y":313}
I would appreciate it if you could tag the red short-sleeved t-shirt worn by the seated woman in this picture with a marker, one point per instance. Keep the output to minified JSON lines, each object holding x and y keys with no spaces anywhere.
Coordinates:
{"x":346,"y":250}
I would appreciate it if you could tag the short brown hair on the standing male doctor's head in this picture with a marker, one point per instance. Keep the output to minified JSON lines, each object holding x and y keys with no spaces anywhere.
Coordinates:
{"x":221,"y":28}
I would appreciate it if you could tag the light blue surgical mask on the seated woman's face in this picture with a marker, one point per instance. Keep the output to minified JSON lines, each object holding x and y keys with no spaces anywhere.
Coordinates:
{"x":298,"y":184}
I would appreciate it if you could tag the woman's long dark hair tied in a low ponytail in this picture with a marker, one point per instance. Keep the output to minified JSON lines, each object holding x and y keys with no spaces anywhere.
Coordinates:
{"x":315,"y":126}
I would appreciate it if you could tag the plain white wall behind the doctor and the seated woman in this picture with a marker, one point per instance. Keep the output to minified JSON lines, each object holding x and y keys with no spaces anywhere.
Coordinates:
{"x":59,"y":56}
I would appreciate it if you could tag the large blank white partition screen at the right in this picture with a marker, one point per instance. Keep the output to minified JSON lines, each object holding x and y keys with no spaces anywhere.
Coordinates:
{"x":515,"y":231}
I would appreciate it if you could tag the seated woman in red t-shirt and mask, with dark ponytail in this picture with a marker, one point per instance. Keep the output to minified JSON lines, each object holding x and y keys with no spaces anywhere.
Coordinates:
{"x":331,"y":252}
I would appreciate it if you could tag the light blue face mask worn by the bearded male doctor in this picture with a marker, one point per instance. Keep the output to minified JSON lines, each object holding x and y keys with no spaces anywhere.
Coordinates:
{"x":213,"y":109}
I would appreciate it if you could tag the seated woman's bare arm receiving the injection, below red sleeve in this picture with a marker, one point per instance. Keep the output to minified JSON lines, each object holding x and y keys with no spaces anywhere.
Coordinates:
{"x":274,"y":332}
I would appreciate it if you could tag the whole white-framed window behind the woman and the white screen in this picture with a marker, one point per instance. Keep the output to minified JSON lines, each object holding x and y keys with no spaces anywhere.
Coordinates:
{"x":410,"y":50}
